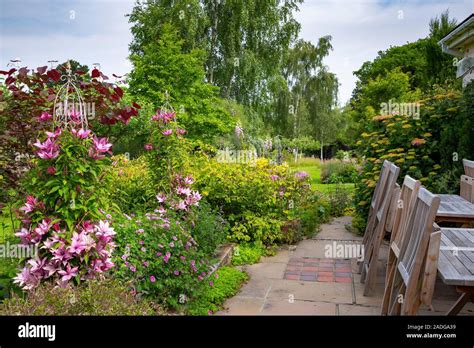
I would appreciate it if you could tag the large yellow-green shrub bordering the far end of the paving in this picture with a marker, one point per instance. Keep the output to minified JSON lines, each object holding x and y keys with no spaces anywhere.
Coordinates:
{"x":258,"y":199}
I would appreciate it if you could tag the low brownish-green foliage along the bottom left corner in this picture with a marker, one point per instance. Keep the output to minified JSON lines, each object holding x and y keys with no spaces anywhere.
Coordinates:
{"x":95,"y":297}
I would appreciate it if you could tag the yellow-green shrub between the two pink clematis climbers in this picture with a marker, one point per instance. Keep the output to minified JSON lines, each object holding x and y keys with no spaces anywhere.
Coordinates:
{"x":131,"y":187}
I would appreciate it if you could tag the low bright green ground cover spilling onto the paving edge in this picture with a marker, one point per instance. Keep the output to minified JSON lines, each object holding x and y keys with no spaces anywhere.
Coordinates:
{"x":226,"y":282}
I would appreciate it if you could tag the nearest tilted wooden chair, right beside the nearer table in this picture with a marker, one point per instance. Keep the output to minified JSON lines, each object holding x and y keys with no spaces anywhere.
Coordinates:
{"x":415,"y":275}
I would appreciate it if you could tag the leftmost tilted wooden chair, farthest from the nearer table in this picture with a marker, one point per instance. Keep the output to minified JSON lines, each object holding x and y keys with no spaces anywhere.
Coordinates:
{"x":375,"y":230}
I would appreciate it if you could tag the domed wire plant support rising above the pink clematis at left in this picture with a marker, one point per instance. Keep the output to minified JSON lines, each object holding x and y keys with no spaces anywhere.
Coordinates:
{"x":69,"y":107}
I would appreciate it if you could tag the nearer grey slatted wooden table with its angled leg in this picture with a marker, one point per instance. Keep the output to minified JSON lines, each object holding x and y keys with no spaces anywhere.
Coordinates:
{"x":456,"y":263}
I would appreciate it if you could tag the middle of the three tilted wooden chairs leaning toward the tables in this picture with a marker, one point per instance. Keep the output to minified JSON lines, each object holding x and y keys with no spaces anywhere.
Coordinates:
{"x":405,"y":201}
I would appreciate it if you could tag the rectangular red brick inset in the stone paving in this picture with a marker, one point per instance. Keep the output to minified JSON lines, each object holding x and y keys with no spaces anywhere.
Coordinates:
{"x":319,"y":270}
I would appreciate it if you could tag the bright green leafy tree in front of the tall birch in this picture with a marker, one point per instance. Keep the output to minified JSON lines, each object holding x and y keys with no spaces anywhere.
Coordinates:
{"x":163,"y":66}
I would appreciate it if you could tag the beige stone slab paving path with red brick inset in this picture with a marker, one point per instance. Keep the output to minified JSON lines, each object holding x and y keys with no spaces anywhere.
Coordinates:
{"x":302,"y":280}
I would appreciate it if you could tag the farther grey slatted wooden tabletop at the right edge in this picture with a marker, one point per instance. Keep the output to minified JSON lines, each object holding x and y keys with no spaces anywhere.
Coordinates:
{"x":454,"y":208}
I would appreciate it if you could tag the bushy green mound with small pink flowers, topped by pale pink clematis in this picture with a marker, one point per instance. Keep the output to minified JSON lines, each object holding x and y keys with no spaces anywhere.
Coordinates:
{"x":158,"y":252}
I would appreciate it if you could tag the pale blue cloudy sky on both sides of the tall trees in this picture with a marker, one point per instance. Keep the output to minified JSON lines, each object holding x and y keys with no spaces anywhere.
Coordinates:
{"x":97,"y":31}
